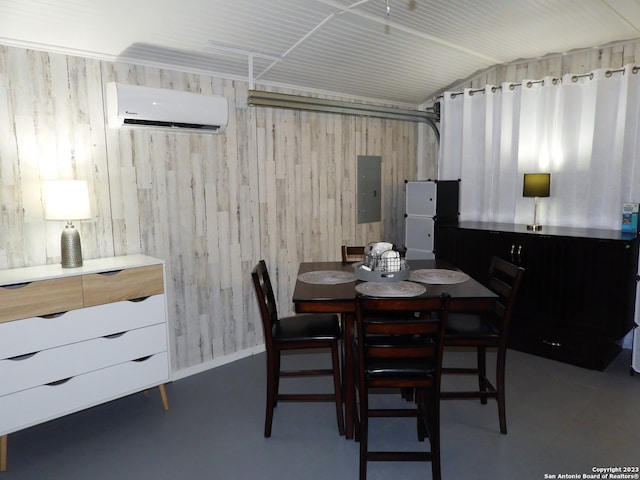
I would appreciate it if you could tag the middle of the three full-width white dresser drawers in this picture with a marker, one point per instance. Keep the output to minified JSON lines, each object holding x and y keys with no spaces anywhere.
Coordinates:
{"x":21,"y":373}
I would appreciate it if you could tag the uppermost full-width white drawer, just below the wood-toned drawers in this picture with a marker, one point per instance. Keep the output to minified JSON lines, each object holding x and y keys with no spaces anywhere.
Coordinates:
{"x":35,"y":334}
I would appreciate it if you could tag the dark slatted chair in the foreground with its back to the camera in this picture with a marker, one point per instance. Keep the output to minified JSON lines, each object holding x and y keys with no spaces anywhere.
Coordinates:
{"x":399,"y":345}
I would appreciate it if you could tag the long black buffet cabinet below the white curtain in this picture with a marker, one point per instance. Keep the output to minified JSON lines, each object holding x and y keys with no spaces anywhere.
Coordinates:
{"x":577,"y":297}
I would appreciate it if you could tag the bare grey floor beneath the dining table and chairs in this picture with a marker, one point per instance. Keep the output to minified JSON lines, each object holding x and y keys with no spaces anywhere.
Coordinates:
{"x":561,"y":420}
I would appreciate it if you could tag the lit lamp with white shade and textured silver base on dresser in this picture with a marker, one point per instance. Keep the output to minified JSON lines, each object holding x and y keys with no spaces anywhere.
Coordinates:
{"x":68,"y":200}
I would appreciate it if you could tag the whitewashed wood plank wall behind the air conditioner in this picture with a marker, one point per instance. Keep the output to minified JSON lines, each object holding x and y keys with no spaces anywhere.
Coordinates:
{"x":278,"y":185}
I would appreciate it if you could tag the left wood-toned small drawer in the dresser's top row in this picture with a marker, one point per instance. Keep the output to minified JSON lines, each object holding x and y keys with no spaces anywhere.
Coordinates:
{"x":40,"y":298}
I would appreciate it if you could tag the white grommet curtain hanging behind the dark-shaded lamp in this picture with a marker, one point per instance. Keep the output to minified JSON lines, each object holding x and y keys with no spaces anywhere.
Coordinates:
{"x":583,"y":129}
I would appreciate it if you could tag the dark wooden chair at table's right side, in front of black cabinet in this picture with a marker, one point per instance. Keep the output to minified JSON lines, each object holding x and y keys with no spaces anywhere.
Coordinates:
{"x":481,"y":331}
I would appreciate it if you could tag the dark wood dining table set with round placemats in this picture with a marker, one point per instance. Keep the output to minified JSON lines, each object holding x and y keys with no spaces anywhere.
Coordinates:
{"x":340,"y":298}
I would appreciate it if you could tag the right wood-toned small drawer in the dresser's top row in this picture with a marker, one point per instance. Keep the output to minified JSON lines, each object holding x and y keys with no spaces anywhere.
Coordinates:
{"x":127,"y":284}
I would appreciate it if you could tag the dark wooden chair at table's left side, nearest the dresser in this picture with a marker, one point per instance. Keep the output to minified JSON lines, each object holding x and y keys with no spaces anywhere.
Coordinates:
{"x":298,"y":332}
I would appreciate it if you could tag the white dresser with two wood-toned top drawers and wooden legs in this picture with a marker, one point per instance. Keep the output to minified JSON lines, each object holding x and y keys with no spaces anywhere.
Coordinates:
{"x":74,"y":338}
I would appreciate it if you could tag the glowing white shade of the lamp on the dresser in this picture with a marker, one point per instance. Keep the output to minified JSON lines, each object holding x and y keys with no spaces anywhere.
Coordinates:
{"x":67,"y":200}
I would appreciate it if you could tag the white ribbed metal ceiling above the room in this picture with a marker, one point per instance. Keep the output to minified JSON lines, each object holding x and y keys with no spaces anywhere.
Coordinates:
{"x":348,"y":47}
